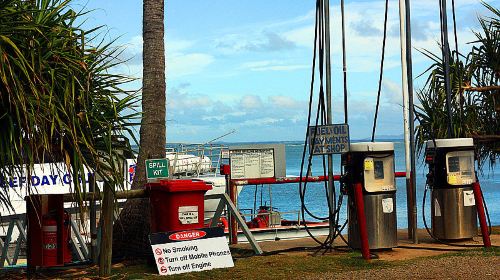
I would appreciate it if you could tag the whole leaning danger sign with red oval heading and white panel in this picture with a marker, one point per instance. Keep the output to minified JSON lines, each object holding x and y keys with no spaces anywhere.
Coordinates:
{"x":190,"y":250}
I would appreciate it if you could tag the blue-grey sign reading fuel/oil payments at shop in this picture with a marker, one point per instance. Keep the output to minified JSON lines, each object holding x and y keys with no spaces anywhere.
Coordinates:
{"x":328,"y":139}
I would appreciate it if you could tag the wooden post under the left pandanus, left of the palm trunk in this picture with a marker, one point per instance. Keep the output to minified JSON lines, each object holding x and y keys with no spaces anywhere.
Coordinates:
{"x":107,"y":209}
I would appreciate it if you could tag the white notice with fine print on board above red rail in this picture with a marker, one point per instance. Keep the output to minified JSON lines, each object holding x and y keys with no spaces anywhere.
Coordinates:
{"x":252,"y":163}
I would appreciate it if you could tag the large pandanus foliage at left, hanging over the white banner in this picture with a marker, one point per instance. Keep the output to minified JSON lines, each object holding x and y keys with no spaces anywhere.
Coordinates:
{"x":60,"y":98}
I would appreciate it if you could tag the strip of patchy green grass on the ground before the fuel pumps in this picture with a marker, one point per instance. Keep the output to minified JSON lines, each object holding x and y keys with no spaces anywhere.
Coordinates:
{"x":295,"y":265}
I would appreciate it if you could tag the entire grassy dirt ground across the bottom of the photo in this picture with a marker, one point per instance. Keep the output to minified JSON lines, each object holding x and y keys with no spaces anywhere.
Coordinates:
{"x":298,"y":259}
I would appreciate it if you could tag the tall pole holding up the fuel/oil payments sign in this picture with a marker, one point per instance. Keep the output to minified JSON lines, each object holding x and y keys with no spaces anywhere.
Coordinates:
{"x":331,"y":186}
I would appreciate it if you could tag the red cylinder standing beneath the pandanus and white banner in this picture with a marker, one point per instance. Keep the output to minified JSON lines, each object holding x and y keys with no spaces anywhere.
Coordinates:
{"x":49,"y":241}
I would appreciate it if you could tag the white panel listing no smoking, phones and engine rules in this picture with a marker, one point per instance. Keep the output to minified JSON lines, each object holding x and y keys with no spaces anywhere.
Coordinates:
{"x":193,"y":255}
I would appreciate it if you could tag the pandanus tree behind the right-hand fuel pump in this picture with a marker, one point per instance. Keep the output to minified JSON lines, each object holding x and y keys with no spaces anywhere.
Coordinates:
{"x":475,"y":98}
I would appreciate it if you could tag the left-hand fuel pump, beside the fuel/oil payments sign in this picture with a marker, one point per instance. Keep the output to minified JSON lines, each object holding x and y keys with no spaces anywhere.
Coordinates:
{"x":372,"y":165}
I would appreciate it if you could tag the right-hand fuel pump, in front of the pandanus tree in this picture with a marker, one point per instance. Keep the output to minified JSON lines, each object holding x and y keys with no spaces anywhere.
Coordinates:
{"x":450,"y":178}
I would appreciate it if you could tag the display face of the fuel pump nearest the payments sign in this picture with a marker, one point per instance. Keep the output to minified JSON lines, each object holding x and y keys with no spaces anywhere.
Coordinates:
{"x":379,"y":173}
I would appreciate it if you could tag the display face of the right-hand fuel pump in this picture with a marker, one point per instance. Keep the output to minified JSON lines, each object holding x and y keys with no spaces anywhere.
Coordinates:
{"x":460,"y":167}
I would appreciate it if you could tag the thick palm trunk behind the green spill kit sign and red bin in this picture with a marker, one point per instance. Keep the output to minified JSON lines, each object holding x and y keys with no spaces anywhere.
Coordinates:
{"x":132,"y":228}
